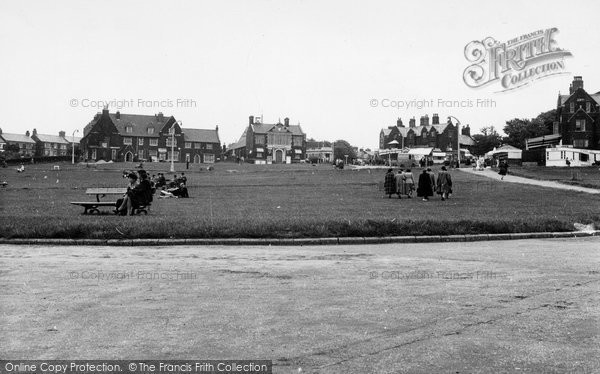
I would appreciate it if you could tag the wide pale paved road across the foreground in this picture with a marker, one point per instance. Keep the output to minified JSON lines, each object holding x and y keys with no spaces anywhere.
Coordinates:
{"x":502,"y":306}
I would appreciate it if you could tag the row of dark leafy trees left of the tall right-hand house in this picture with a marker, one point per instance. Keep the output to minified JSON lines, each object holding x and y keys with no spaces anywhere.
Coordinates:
{"x":517,"y":131}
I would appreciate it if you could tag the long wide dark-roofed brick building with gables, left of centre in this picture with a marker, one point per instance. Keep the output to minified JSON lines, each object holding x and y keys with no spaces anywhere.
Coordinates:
{"x":128,"y":137}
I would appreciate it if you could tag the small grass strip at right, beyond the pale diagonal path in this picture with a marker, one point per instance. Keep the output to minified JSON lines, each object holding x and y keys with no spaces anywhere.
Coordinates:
{"x":584,"y":177}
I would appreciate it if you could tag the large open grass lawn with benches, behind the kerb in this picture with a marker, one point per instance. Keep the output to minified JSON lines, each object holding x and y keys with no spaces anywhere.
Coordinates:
{"x":280,"y":201}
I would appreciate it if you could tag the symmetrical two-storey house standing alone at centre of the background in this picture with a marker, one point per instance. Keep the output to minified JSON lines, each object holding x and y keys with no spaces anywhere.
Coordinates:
{"x":274,"y":143}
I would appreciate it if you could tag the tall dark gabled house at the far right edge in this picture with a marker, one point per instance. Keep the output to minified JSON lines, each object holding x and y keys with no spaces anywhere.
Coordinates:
{"x":577,"y":117}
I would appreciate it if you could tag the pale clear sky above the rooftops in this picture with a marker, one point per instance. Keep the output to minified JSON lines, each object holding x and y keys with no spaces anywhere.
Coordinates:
{"x":338,"y":68}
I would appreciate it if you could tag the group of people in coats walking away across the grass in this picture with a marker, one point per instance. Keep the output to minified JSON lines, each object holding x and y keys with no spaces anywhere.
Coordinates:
{"x":403,"y":183}
